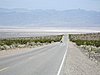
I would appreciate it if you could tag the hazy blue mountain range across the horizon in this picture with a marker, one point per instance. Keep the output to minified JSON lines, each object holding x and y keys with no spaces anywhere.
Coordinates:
{"x":24,"y":17}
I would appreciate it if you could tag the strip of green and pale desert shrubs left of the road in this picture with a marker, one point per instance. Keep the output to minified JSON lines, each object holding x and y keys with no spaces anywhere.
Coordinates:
{"x":24,"y":42}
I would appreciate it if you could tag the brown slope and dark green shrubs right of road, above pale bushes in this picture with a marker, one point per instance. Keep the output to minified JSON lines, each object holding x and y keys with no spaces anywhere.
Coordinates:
{"x":92,"y":39}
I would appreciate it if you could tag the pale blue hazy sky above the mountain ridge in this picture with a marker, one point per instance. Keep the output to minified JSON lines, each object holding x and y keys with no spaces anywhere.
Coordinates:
{"x":52,"y":4}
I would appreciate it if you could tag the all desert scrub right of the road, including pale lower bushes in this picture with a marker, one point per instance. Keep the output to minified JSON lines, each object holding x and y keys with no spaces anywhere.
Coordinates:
{"x":88,"y":43}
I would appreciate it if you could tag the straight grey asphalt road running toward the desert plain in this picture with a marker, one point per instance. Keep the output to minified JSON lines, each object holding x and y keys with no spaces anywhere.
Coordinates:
{"x":43,"y":61}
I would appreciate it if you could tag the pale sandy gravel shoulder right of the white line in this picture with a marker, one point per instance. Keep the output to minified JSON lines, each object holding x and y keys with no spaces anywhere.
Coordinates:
{"x":77,"y":63}
